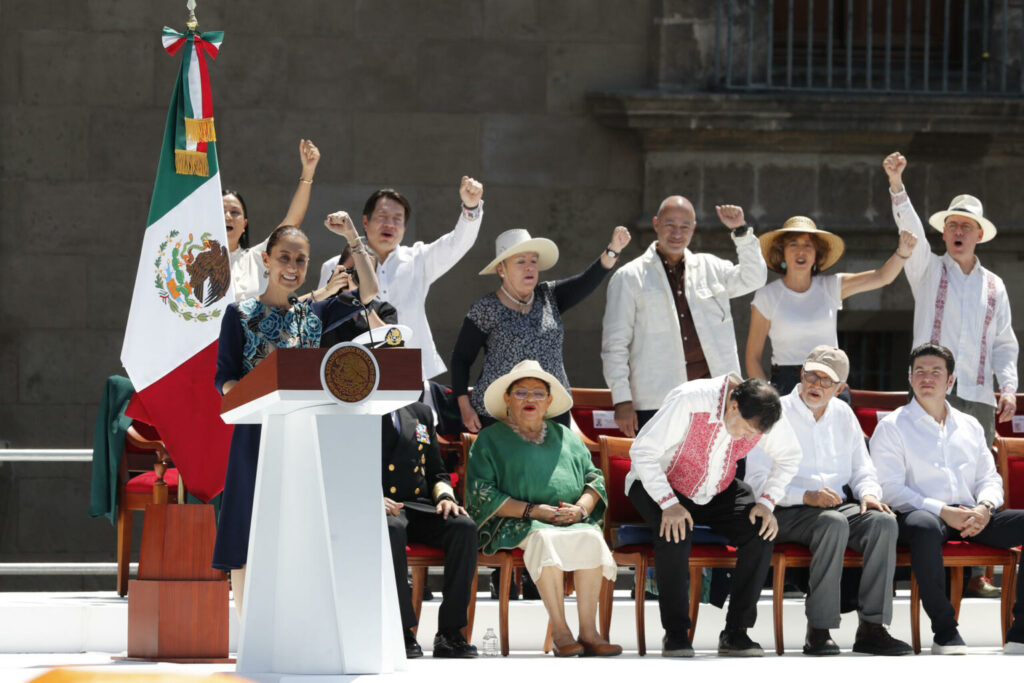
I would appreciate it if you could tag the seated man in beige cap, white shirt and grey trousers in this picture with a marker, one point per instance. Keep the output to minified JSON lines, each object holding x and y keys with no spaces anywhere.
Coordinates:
{"x":817,"y":513}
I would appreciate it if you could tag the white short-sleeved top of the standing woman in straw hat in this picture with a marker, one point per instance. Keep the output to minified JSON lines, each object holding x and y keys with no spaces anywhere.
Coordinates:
{"x":800,"y":321}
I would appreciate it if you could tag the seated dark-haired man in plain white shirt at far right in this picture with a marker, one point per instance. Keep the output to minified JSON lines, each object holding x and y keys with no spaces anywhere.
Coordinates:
{"x":937,"y":473}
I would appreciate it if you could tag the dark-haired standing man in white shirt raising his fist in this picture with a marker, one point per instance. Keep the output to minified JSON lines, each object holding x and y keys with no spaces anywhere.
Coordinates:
{"x":405,"y":273}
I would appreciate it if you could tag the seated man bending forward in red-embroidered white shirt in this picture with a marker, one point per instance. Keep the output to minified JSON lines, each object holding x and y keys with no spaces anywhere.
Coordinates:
{"x":684,"y":474}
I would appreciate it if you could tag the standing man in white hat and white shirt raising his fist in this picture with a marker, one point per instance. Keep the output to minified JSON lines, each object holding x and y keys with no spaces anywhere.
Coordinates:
{"x":959,"y":304}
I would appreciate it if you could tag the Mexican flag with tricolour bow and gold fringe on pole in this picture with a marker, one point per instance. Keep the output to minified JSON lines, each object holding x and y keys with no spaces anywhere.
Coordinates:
{"x":184,"y":282}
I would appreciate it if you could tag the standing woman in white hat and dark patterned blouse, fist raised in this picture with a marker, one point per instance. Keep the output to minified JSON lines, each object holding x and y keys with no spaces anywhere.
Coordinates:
{"x":523,"y":319}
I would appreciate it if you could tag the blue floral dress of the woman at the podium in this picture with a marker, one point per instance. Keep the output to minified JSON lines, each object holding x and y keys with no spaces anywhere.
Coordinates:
{"x":249,"y":333}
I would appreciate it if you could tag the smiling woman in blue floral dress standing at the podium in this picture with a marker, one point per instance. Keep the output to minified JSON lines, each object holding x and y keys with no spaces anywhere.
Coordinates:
{"x":250,"y":331}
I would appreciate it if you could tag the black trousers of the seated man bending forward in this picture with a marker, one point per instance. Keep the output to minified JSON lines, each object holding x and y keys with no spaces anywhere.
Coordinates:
{"x":727,"y":515}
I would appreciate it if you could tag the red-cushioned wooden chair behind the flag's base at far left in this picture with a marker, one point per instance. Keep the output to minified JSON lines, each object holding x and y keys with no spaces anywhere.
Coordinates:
{"x":146,"y":476}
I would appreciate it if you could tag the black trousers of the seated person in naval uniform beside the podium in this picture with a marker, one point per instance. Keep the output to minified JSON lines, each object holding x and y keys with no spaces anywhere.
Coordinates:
{"x":457,"y":537}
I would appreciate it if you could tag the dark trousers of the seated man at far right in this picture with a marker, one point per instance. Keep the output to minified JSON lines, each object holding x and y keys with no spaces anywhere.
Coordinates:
{"x":925,"y":533}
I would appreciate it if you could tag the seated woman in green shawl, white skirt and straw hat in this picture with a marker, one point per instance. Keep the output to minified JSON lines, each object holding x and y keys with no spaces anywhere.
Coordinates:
{"x":532,"y":485}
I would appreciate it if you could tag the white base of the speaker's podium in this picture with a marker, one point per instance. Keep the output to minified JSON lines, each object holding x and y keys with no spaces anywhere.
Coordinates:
{"x":320,"y":601}
